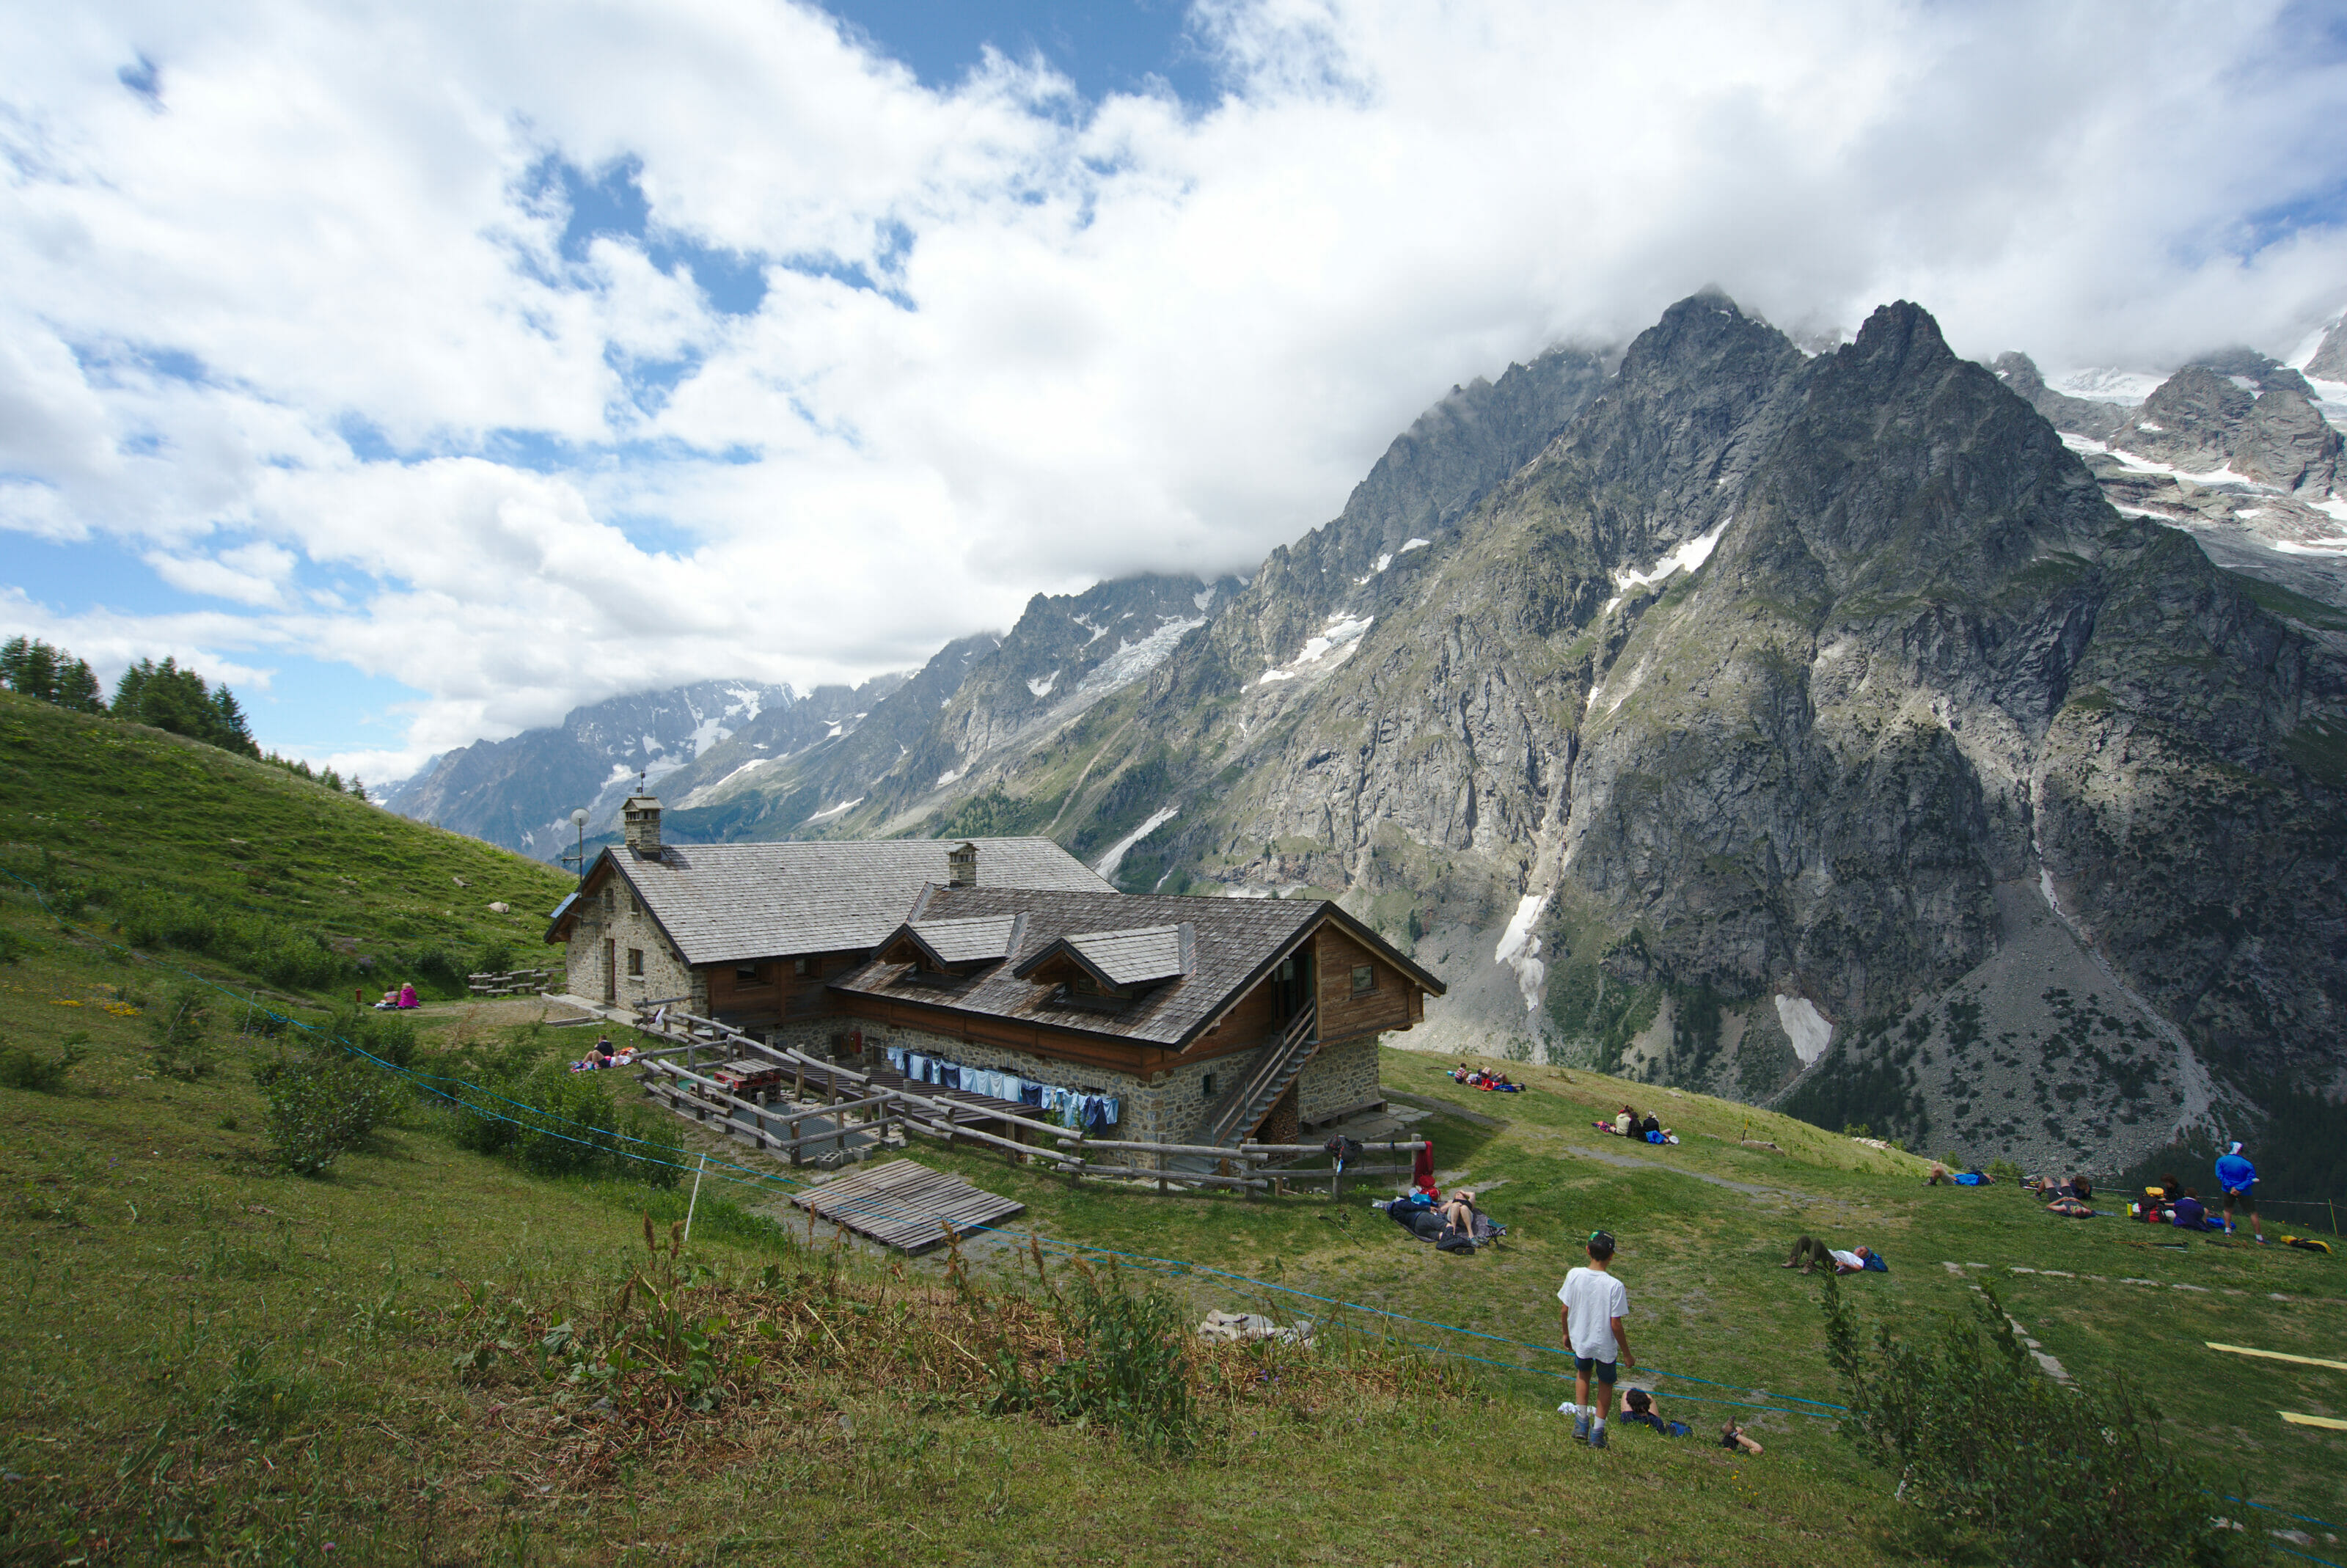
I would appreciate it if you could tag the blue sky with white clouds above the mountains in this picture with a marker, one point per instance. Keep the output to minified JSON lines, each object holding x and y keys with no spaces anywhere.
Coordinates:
{"x":433,"y":367}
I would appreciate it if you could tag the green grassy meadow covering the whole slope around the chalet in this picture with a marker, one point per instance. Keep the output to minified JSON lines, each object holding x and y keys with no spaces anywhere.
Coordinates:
{"x":212,"y":1360}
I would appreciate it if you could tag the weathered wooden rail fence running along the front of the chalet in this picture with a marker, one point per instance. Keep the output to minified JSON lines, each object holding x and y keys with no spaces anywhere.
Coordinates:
{"x":802,"y":1090}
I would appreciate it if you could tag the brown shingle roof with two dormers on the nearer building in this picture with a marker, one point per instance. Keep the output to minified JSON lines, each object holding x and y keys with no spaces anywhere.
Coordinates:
{"x":1231,"y":947}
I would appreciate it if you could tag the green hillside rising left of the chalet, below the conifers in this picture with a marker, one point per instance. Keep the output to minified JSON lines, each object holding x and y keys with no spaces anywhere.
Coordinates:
{"x":177,"y":844}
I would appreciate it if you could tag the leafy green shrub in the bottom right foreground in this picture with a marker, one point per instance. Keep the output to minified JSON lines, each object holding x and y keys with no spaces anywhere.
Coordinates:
{"x":2001,"y":1457}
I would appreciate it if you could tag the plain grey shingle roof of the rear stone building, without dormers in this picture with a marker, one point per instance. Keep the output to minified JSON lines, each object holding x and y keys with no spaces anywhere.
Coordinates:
{"x":776,"y":900}
